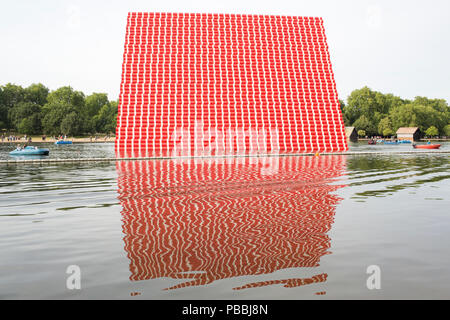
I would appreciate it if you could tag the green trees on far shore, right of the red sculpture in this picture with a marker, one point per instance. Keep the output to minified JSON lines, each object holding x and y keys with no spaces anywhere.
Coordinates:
{"x":373,"y":113}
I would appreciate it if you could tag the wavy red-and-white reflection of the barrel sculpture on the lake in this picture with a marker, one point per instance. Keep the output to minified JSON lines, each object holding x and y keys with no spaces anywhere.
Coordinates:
{"x":211,"y":219}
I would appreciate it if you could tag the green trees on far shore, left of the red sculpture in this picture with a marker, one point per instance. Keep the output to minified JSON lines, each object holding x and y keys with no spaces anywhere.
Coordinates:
{"x":36,"y":110}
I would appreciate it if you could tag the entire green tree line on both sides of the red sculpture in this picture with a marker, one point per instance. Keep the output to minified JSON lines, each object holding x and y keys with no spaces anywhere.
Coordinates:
{"x":35,"y":110}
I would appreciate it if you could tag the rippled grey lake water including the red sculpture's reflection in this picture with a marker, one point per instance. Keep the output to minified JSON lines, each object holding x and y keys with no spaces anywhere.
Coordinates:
{"x":243,"y":228}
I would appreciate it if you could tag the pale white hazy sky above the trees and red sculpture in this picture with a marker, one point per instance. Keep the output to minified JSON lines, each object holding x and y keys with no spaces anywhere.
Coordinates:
{"x":401,"y":47}
